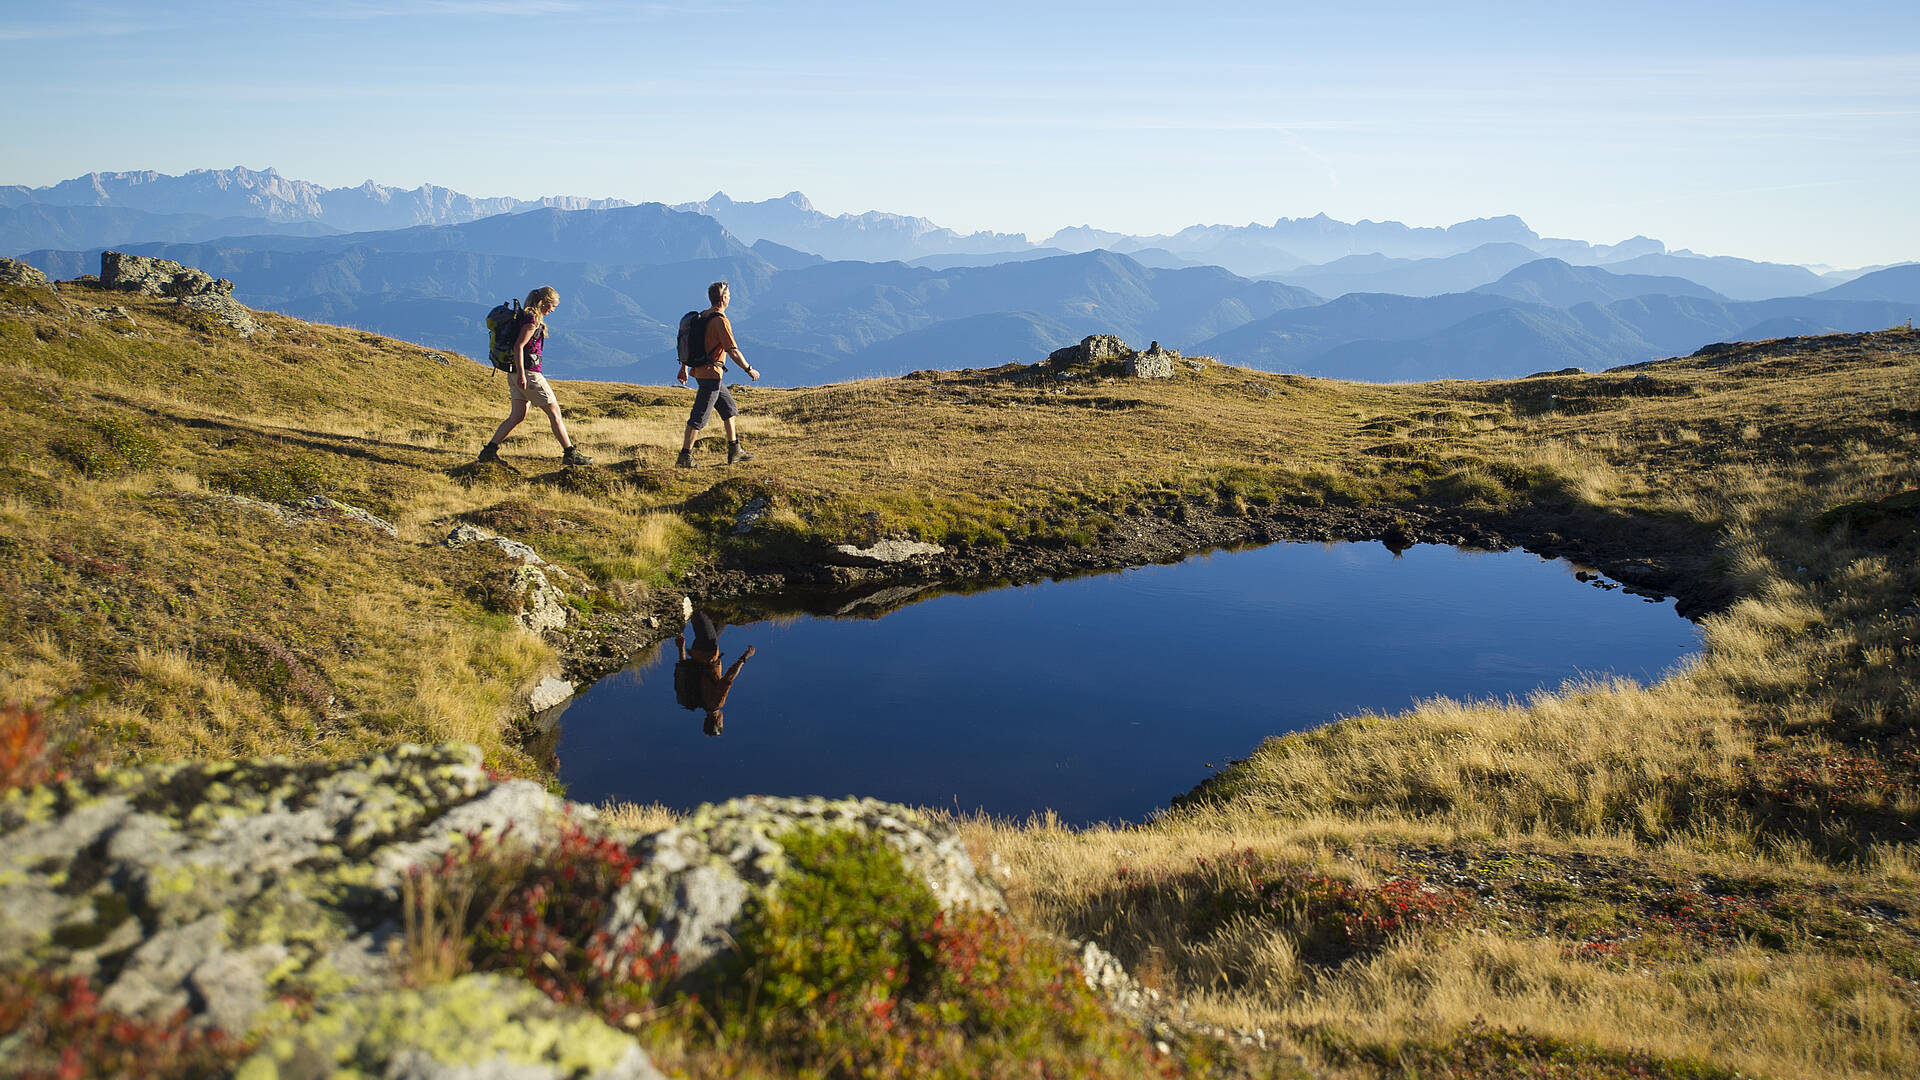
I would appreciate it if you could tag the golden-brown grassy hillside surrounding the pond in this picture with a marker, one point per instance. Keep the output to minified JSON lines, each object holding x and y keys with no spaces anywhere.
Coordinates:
{"x":1712,"y":868}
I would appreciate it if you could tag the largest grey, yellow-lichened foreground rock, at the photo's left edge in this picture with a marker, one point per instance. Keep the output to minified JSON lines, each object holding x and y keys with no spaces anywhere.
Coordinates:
{"x":212,"y":885}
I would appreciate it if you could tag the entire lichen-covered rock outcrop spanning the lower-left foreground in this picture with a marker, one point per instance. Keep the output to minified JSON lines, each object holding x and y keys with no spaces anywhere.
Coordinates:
{"x":228,"y":891}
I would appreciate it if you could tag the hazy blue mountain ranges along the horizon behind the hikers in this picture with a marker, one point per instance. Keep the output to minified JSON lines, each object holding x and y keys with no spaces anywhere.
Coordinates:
{"x":836,"y":297}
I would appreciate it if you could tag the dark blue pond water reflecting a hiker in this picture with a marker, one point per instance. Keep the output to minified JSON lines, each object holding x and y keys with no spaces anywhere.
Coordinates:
{"x":1101,"y":699}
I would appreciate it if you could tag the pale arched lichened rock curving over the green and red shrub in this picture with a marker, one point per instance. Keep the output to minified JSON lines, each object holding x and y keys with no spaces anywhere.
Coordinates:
{"x":700,"y":875}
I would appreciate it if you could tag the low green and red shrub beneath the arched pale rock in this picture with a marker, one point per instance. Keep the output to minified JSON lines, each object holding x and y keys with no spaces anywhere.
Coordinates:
{"x":855,"y":971}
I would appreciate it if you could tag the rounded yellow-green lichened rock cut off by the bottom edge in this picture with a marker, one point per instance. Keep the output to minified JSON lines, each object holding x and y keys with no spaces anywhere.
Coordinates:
{"x":471,"y":1029}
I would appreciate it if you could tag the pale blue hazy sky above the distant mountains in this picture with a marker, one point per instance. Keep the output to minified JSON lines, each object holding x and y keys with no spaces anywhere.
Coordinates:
{"x":1762,"y":130}
